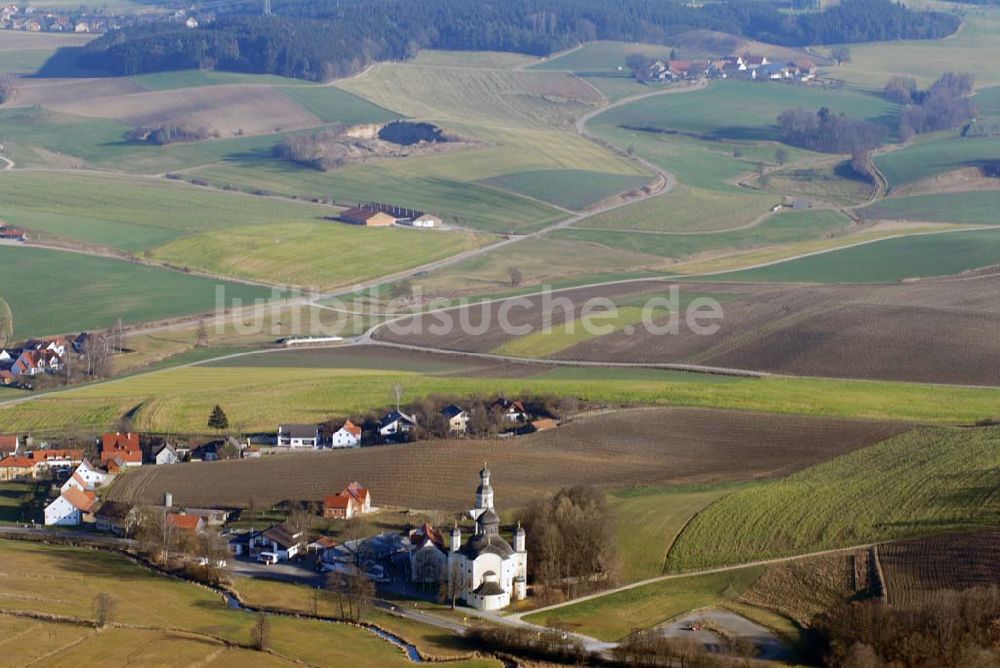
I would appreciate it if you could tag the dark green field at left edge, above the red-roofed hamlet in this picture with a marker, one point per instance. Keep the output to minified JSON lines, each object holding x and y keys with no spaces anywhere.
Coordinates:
{"x":52,"y":292}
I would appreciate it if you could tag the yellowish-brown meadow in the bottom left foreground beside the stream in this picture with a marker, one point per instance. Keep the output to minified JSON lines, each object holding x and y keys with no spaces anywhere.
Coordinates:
{"x":181,"y":619}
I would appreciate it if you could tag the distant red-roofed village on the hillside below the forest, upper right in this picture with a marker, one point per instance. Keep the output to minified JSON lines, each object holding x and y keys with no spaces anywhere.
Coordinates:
{"x":740,"y":68}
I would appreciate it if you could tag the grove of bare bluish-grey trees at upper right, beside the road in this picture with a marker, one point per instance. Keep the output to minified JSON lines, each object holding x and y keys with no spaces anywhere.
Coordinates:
{"x":944,"y":106}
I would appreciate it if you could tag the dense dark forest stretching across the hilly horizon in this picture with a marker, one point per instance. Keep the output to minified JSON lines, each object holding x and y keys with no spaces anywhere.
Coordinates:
{"x":329,"y":38}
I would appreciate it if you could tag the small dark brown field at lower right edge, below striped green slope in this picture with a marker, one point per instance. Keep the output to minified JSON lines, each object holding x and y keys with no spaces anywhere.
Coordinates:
{"x":916,"y":570}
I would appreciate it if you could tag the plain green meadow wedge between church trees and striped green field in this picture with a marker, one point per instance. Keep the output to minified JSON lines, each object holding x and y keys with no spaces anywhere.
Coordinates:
{"x":649,"y":519}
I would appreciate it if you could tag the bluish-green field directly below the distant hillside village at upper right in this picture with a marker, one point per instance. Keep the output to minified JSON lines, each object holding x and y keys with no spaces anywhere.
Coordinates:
{"x":712,"y":111}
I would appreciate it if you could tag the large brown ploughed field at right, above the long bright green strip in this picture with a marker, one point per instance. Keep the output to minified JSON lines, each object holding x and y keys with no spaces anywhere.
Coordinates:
{"x":931,"y":331}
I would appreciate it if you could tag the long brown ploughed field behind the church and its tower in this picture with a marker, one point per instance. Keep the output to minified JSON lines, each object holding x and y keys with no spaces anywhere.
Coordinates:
{"x":663,"y":446}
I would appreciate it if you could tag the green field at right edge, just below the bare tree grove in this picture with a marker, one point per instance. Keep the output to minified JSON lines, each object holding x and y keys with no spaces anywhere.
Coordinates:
{"x":936,"y":154}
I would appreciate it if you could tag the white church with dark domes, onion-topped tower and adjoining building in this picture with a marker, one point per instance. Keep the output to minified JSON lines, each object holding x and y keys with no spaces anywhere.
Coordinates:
{"x":489,"y":572}
